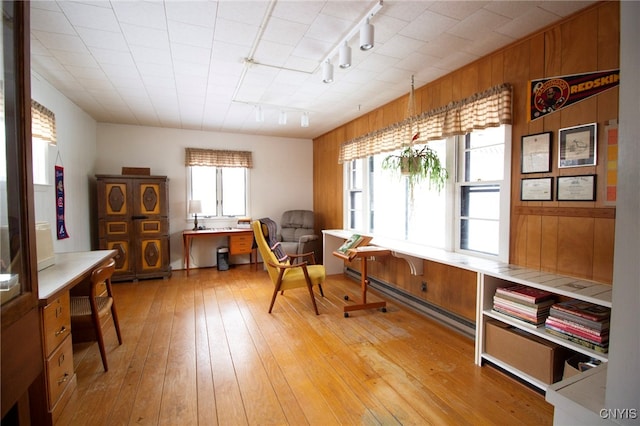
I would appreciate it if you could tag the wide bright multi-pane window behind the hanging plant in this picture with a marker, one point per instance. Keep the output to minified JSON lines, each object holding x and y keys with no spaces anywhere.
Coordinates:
{"x":471,"y":214}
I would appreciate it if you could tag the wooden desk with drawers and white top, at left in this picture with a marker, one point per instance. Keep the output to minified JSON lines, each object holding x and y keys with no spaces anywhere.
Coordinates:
{"x":52,"y":390}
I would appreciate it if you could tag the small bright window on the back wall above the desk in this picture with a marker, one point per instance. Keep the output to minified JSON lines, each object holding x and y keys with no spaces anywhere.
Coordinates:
{"x":222,"y":190}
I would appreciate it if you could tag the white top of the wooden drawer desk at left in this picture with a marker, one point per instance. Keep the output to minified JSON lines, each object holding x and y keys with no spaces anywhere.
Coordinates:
{"x":69,"y":270}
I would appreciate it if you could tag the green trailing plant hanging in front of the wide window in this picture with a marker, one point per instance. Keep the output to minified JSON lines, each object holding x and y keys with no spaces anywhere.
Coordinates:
{"x":418,"y":164}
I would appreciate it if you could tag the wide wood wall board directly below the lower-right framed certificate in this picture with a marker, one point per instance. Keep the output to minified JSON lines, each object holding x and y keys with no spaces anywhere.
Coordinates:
{"x":575,"y":246}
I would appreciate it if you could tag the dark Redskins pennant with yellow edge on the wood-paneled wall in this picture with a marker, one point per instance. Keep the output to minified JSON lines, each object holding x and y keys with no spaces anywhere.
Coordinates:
{"x":548,"y":95}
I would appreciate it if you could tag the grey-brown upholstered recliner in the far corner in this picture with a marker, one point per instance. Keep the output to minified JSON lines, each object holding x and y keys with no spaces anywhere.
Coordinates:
{"x":297,"y":234}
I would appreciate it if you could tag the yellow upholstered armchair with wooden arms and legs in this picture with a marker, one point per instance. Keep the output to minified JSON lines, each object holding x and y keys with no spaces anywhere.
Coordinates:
{"x":283,"y":273}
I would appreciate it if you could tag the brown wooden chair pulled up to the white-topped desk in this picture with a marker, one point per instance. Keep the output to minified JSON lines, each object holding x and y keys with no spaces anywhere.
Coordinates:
{"x":89,"y":313}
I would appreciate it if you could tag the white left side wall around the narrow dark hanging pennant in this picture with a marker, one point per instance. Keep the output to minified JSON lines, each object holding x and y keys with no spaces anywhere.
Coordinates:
{"x":76,"y":148}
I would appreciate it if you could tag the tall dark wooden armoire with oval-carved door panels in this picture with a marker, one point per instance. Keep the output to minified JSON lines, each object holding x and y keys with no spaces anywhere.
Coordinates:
{"x":133,"y":218}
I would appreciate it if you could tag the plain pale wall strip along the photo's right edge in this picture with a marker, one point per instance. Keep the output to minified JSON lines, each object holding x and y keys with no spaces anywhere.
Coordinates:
{"x":623,"y":371}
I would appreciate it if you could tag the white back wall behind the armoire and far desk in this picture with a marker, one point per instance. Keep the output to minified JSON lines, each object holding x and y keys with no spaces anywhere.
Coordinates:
{"x":281,"y":177}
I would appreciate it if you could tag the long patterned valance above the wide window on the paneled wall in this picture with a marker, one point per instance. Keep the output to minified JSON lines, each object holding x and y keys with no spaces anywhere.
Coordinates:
{"x":490,"y":108}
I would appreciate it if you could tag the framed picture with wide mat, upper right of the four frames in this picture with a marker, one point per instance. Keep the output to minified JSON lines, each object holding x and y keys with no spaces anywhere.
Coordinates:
{"x":577,"y":146}
